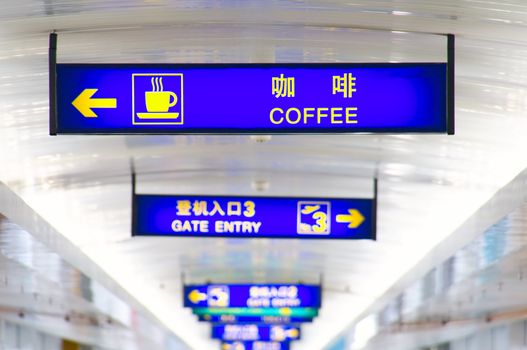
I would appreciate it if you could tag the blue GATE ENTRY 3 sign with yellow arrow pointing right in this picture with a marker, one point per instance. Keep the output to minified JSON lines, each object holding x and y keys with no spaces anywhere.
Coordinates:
{"x":253,"y":217}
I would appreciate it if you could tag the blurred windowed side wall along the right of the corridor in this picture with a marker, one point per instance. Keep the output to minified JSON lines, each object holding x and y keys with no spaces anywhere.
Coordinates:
{"x":480,"y":286}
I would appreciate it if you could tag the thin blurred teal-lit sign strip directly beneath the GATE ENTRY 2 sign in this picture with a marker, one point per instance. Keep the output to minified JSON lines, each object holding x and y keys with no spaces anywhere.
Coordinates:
{"x":259,"y":312}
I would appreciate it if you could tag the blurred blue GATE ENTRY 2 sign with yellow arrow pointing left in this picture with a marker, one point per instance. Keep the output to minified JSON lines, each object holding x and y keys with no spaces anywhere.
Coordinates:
{"x":253,"y":296}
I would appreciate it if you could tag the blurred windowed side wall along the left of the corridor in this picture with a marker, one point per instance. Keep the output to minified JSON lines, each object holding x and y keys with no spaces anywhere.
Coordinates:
{"x":43,"y":291}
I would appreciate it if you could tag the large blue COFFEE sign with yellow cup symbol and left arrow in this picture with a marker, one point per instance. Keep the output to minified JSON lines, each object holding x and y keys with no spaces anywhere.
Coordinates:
{"x":251,"y":98}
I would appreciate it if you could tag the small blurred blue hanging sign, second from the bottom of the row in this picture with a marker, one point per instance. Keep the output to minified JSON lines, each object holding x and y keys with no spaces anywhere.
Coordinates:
{"x":251,"y":332}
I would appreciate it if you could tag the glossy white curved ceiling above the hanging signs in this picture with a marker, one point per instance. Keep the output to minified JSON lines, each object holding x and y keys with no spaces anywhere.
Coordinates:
{"x":428,"y":185}
